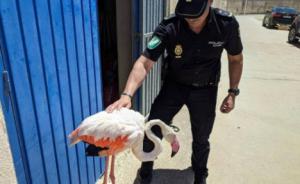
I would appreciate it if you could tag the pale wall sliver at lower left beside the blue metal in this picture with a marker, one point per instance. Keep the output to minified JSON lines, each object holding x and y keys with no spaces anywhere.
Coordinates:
{"x":7,"y":172}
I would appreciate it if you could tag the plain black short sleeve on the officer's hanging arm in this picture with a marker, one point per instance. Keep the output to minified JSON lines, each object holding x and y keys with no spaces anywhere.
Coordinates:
{"x":234,"y":44}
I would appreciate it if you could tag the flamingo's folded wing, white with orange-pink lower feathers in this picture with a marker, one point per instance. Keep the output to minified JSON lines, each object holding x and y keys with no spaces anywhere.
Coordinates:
{"x":103,"y":128}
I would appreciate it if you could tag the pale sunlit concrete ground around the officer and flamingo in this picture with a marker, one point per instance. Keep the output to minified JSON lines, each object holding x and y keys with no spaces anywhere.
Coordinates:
{"x":259,"y":142}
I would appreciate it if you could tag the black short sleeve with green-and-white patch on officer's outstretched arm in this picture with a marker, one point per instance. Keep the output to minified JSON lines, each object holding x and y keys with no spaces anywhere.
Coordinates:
{"x":157,"y":44}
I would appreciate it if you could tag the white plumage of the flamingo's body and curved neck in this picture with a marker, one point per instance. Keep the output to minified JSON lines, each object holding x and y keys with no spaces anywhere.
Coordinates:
{"x":123,"y":123}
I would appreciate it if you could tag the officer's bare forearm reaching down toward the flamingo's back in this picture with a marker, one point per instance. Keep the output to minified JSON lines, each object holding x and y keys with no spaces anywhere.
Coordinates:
{"x":138,"y":73}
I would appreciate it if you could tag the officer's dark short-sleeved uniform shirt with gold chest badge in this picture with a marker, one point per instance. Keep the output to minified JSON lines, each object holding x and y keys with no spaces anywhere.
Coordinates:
{"x":195,"y":57}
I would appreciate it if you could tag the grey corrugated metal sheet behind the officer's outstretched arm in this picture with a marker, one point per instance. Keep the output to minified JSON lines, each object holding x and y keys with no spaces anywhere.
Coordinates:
{"x":152,"y":14}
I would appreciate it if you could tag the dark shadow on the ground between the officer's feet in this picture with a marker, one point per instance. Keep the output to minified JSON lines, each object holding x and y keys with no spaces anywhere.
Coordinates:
{"x":167,"y":176}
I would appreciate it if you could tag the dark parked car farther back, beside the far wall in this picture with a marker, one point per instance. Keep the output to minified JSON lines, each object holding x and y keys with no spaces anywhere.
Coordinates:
{"x":279,"y":16}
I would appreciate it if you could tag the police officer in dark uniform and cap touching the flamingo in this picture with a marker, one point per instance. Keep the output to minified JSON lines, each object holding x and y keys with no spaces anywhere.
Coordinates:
{"x":194,"y":40}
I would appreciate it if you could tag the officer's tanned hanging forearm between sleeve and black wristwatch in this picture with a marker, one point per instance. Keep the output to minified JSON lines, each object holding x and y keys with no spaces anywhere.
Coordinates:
{"x":235,"y":69}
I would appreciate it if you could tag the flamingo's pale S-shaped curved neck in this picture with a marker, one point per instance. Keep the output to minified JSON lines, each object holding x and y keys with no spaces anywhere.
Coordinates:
{"x":150,"y":156}
